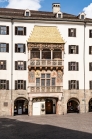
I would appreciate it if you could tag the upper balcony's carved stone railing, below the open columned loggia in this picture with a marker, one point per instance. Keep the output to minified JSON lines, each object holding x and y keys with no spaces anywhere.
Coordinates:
{"x":46,"y":63}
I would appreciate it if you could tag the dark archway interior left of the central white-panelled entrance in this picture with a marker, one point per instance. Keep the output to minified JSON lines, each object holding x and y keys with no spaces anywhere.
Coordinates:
{"x":20,"y":106}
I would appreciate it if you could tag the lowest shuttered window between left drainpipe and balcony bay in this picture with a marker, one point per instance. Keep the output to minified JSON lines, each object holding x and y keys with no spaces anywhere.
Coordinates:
{"x":20,"y":84}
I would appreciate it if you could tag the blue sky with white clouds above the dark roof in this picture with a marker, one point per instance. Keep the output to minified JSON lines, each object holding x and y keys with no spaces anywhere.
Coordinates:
{"x":68,"y":6}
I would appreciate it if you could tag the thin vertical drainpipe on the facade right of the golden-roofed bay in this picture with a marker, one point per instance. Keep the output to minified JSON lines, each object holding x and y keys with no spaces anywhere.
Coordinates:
{"x":84,"y":71}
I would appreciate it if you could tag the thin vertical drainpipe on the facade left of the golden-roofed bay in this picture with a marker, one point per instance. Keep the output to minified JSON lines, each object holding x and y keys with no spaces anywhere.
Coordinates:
{"x":11,"y":65}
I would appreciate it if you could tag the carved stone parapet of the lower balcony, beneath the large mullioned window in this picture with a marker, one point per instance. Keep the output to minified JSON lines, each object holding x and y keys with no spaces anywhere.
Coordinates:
{"x":45,"y":89}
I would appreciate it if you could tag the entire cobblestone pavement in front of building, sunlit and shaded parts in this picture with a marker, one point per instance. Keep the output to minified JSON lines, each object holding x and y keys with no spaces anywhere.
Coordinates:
{"x":69,"y":126}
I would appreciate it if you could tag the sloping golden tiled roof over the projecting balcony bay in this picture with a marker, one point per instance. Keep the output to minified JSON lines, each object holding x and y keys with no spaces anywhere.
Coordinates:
{"x":45,"y":34}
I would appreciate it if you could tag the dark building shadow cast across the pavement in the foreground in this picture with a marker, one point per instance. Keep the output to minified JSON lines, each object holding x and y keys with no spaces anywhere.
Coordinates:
{"x":14,"y":129}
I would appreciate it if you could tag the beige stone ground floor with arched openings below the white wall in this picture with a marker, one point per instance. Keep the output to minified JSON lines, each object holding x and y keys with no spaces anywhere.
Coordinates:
{"x":24,"y":103}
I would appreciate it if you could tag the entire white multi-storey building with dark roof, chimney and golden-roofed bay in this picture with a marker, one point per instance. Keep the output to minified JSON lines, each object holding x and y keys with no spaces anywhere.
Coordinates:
{"x":45,"y":62}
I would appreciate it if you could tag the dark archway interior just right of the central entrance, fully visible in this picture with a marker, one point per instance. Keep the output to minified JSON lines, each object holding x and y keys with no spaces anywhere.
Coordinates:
{"x":73,"y":106}
